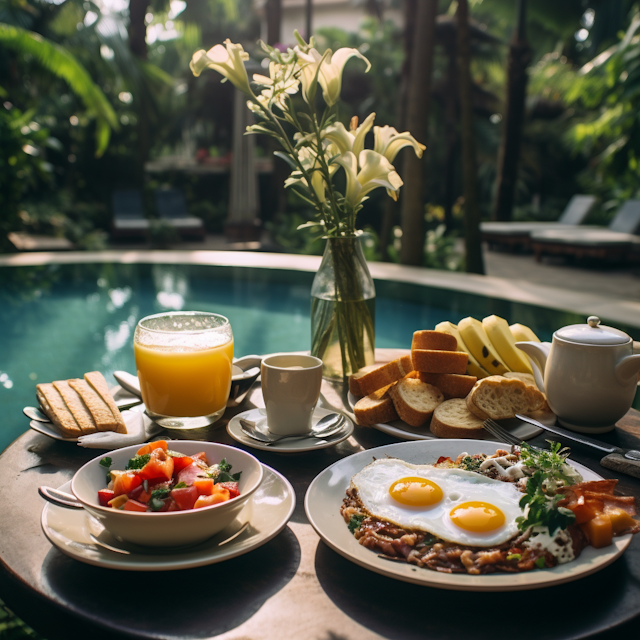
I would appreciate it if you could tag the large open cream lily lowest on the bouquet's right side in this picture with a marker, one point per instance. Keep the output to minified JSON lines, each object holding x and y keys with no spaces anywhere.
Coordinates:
{"x":376,"y":171}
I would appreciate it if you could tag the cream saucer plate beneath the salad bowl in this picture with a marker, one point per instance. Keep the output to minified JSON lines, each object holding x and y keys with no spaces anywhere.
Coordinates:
{"x":263,"y":517}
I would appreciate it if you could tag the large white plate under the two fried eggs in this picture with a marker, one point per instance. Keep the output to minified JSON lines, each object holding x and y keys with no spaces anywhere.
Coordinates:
{"x":324,"y":498}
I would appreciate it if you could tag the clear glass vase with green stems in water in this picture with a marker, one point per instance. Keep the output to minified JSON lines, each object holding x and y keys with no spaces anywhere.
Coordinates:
{"x":343,"y":309}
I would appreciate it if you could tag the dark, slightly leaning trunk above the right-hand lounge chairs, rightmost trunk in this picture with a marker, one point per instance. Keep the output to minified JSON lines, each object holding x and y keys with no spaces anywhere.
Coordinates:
{"x":509,"y":154}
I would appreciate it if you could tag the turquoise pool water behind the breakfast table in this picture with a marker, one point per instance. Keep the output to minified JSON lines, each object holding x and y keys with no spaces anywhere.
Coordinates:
{"x":59,"y":321}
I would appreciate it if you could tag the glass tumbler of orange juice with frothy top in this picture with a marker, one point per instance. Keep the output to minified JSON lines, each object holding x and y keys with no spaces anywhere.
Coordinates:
{"x":184,"y":361}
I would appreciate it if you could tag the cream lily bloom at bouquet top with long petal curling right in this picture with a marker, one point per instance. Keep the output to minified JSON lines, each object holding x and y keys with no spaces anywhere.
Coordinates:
{"x":330,"y":75}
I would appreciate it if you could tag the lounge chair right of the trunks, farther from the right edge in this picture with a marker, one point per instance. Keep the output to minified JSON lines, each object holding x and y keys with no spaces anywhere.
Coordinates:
{"x":512,"y":234}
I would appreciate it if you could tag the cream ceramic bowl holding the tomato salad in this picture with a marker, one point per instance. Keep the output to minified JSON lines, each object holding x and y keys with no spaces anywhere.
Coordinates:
{"x":174,"y":528}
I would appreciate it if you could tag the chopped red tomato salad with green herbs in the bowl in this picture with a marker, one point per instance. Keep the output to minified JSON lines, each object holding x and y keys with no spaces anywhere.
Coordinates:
{"x":158,"y":479}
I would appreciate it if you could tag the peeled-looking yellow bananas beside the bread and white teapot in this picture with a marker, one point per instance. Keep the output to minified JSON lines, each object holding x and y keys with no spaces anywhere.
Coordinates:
{"x":491,"y":345}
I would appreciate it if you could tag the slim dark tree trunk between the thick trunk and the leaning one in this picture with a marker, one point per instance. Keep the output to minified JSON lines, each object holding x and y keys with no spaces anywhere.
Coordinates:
{"x":473,"y":240}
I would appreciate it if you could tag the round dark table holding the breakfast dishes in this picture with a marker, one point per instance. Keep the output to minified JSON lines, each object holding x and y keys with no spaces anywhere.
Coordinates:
{"x":293,"y":587}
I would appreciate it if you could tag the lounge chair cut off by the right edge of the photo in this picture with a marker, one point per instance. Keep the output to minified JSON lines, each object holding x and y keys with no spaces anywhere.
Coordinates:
{"x":613,"y":243}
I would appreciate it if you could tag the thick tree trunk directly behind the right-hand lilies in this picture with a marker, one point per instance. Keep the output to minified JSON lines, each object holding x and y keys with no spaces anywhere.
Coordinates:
{"x":418,"y":99}
